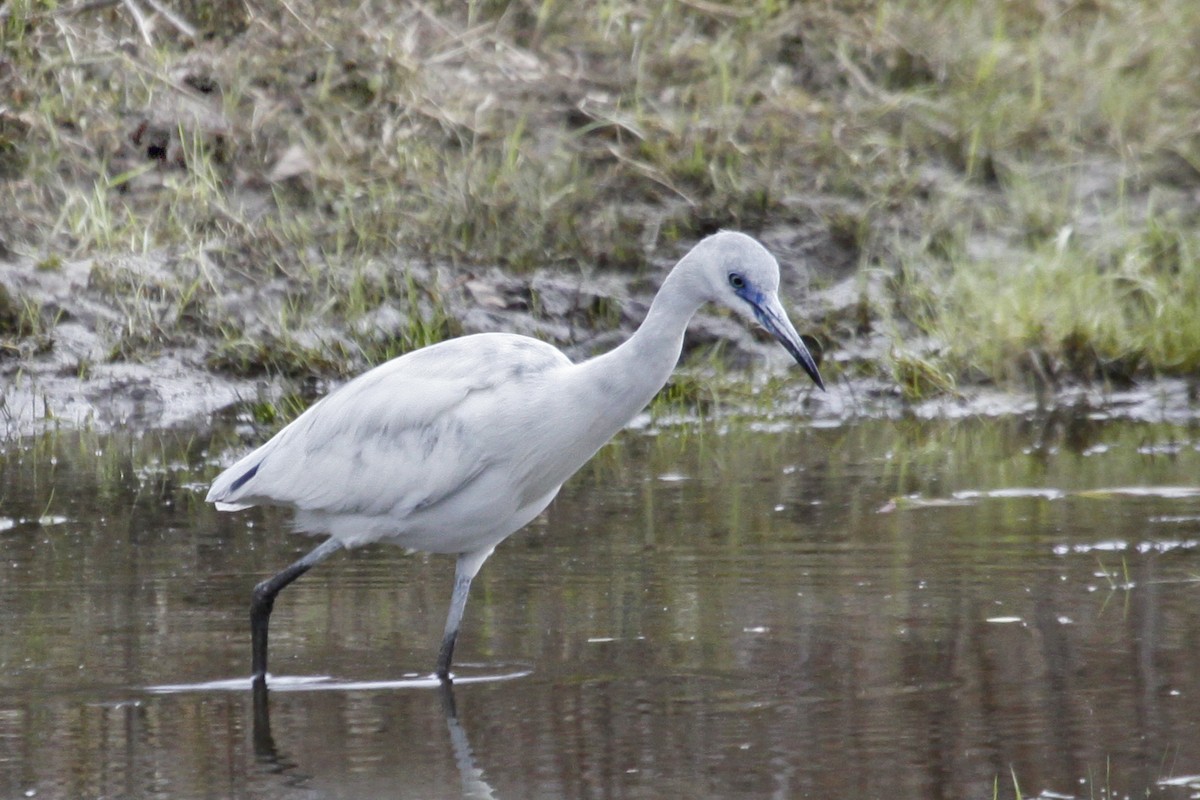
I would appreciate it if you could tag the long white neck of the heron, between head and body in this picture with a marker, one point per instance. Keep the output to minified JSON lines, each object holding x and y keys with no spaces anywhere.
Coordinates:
{"x":629,"y":376}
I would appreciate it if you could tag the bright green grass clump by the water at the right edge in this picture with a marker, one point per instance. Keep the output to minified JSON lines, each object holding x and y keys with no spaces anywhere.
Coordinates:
{"x":1070,"y":309}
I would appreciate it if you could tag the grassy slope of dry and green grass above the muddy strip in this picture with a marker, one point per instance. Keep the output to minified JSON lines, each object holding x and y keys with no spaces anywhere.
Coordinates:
{"x":1010,"y":188}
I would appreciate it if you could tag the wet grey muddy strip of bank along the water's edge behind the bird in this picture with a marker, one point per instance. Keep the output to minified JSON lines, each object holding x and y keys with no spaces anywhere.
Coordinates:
{"x":71,"y":371}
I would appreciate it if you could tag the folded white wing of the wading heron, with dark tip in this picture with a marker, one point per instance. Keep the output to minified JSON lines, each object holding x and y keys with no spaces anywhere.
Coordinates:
{"x":394,"y":440}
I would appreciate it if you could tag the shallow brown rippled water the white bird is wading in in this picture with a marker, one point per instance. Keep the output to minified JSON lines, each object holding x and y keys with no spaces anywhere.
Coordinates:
{"x":885,"y":610}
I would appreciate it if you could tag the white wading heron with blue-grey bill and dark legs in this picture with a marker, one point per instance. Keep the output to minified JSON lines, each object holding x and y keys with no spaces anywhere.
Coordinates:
{"x":454,"y":448}
